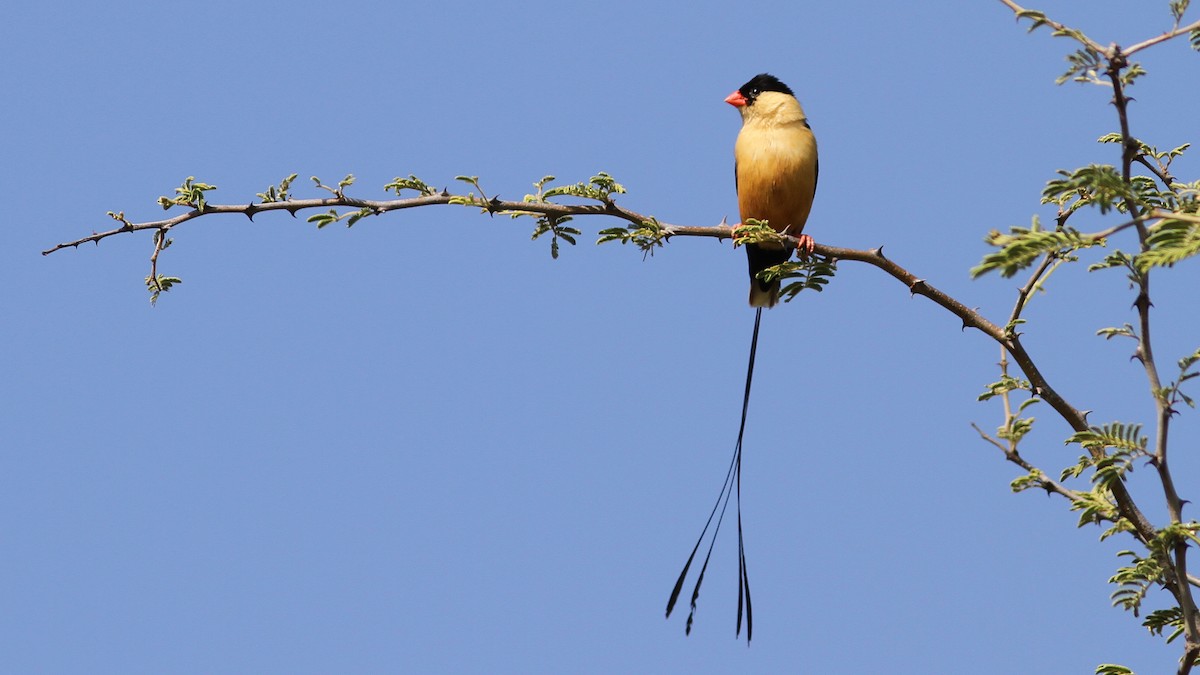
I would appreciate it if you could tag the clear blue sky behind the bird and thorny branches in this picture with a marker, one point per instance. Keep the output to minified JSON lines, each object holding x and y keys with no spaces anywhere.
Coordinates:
{"x":422,"y":445}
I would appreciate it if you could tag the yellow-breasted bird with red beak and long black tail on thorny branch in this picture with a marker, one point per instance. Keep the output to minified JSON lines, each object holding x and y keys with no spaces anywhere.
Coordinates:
{"x":776,"y":176}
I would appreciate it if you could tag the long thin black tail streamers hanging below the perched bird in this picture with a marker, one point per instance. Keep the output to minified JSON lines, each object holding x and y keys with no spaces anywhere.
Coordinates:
{"x":733,"y":485}
